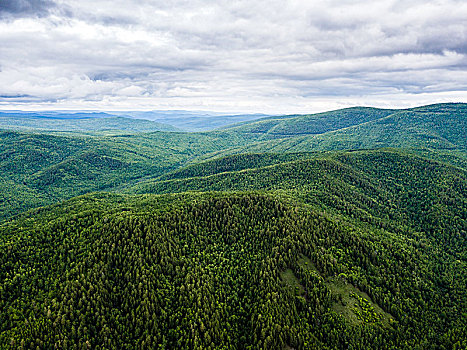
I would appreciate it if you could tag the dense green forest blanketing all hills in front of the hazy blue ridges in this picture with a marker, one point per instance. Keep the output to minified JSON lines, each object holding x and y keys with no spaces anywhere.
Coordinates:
{"x":293,"y":232}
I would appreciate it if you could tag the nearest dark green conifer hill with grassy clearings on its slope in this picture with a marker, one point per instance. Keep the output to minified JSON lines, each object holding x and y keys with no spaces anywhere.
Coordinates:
{"x":233,"y":271}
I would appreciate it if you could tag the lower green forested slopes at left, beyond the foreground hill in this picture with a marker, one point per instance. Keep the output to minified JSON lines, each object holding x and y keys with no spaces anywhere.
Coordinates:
{"x":39,"y":169}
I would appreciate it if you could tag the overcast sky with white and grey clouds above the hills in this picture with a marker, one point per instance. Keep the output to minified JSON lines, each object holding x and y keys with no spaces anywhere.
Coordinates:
{"x":231,"y":56}
